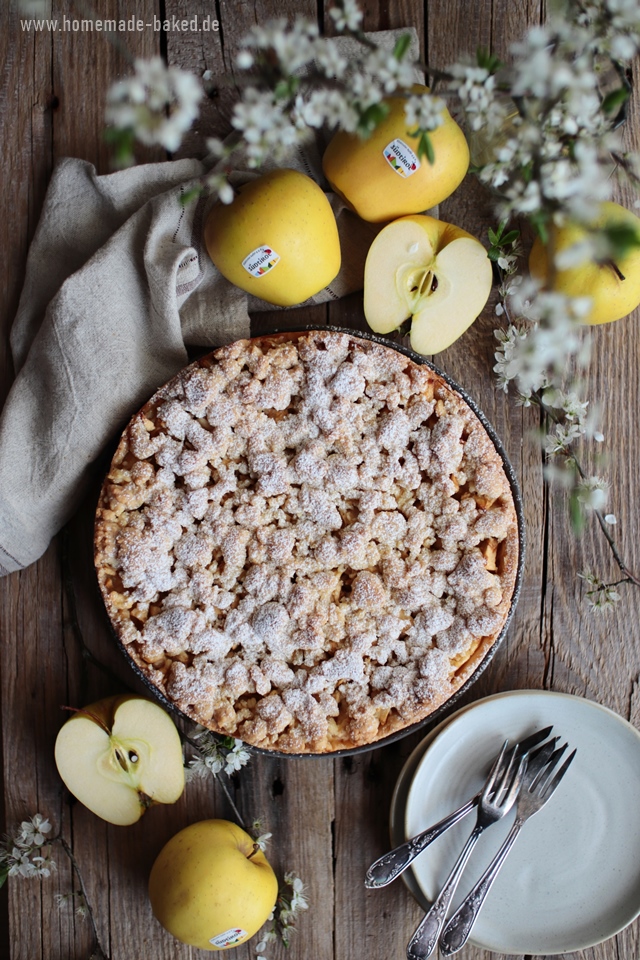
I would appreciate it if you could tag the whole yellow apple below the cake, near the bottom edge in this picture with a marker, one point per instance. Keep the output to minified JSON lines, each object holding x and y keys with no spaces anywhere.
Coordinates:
{"x":211,"y":886}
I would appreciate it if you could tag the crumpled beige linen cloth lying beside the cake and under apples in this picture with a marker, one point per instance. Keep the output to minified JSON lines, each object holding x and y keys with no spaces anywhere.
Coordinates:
{"x":118,"y":284}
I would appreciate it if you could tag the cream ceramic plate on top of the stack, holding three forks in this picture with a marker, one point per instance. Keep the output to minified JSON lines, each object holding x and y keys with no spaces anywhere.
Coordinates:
{"x":573,"y":876}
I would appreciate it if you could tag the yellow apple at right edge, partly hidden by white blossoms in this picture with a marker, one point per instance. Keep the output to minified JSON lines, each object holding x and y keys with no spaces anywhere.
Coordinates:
{"x":614,"y":288}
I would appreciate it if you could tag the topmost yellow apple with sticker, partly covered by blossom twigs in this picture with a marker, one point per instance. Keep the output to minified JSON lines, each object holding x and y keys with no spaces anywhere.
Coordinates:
{"x":381,"y":177}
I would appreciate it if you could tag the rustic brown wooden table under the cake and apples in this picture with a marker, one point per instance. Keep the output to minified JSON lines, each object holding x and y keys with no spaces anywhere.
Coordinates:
{"x":328,"y":817}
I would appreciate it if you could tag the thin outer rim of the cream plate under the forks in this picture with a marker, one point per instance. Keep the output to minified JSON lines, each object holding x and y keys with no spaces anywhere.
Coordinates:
{"x":412,"y":880}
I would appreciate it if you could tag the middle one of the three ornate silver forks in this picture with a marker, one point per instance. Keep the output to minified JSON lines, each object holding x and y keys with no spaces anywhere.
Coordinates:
{"x":495,"y":801}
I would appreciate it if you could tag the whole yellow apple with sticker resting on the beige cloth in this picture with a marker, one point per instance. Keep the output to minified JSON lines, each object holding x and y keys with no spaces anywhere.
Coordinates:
{"x":278,"y":240}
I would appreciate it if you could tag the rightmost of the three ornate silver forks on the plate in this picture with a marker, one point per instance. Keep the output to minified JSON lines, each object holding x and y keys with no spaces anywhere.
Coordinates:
{"x":538,"y":785}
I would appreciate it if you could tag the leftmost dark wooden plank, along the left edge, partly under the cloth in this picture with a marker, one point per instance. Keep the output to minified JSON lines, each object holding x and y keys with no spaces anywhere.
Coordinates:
{"x":25,"y":131}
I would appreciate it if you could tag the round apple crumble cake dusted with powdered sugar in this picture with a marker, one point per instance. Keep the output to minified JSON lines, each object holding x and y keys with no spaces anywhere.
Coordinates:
{"x":307,"y":541}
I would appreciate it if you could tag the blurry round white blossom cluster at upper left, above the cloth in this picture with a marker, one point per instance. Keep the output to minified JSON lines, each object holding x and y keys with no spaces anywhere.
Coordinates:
{"x":158,"y":104}
